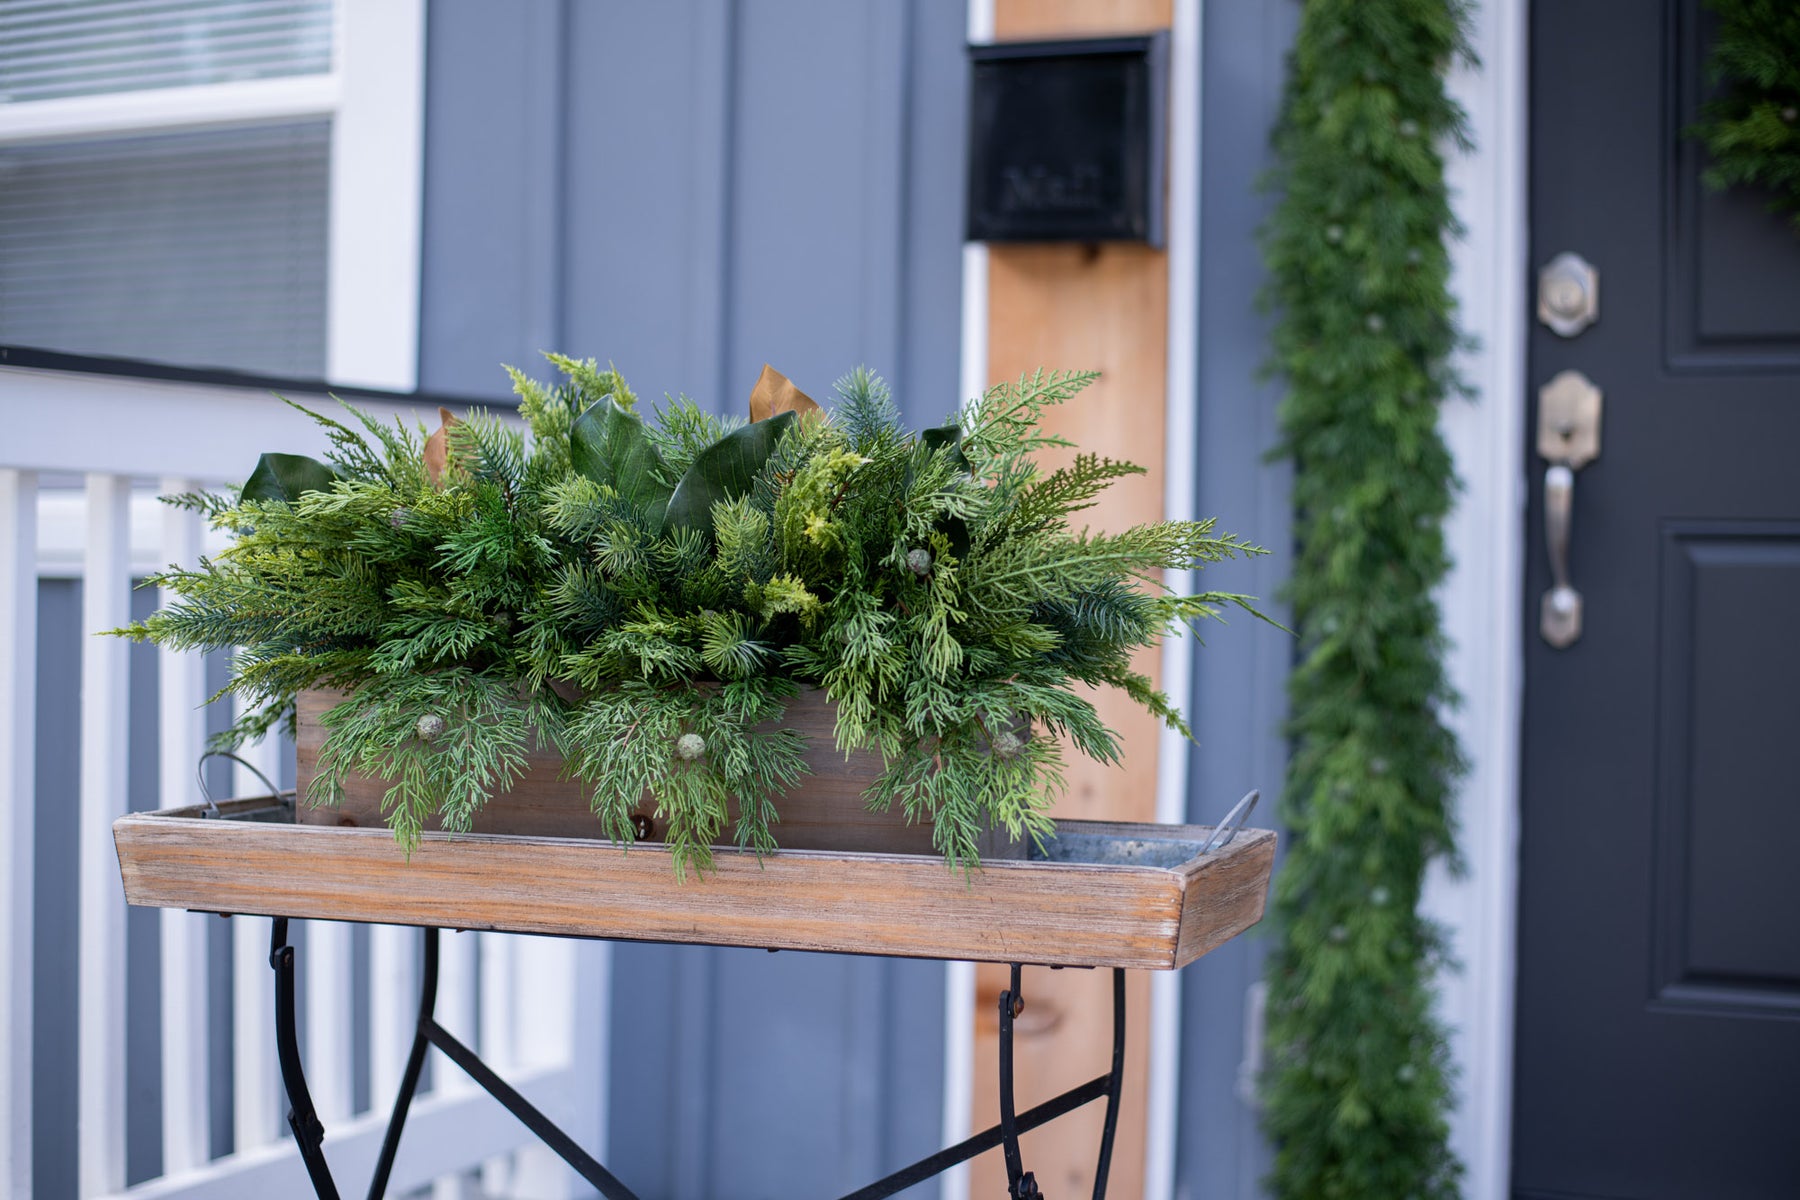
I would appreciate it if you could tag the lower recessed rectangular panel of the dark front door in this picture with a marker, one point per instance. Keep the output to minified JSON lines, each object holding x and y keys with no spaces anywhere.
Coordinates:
{"x":1727,"y":929}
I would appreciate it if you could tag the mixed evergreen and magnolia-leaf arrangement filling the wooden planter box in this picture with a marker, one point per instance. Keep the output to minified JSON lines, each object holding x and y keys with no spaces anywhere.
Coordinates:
{"x":645,"y":596}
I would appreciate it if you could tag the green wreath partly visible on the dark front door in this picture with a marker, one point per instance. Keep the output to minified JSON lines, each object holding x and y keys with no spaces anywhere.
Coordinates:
{"x":1752,"y":129}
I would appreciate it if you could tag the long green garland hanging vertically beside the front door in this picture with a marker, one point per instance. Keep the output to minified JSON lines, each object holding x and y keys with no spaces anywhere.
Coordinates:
{"x":1358,"y":1089}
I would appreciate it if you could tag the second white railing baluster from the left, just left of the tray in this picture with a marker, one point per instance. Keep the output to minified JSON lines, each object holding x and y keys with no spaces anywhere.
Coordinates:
{"x":105,"y":605}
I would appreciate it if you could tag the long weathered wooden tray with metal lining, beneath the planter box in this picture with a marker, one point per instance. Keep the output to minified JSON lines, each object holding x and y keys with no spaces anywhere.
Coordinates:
{"x":1108,"y":895}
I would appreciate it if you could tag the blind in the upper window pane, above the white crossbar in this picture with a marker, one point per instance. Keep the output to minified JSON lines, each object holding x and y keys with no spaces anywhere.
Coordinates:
{"x":80,"y":48}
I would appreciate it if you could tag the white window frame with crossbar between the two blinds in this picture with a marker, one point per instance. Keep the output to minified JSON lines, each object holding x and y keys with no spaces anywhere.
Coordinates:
{"x":375,"y":100}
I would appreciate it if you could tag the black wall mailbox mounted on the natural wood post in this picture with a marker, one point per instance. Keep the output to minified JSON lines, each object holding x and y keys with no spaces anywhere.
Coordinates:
{"x":1066,"y":139}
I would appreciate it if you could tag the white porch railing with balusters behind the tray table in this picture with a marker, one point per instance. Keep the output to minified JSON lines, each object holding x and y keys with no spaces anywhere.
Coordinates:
{"x":127,"y":442}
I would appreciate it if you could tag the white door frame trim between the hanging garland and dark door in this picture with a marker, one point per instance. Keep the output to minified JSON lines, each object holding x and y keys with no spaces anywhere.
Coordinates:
{"x":1482,"y":598}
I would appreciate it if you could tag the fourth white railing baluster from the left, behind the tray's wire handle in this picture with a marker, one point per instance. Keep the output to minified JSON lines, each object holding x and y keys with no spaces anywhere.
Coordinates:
{"x":258,"y":1111}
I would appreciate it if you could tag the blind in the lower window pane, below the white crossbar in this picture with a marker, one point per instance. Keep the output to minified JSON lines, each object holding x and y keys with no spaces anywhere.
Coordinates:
{"x":197,"y":249}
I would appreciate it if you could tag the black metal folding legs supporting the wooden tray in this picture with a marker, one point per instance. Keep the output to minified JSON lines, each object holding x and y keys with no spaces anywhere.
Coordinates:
{"x":310,"y":1133}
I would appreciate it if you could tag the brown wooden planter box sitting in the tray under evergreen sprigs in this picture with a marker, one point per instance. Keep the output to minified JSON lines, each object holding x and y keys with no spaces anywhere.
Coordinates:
{"x":823,"y":812}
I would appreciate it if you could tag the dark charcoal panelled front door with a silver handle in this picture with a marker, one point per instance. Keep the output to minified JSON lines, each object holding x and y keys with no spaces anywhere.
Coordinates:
{"x":1659,"y":1007}
